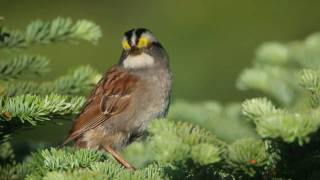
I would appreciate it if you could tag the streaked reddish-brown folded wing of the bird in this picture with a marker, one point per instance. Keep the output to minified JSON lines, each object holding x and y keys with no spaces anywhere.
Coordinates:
{"x":110,"y":97}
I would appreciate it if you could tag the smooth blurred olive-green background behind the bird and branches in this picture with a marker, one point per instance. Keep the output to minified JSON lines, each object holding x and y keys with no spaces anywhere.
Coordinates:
{"x":209,"y":41}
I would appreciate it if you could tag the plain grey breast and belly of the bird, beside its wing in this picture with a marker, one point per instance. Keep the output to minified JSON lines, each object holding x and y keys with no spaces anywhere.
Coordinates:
{"x":152,"y":100}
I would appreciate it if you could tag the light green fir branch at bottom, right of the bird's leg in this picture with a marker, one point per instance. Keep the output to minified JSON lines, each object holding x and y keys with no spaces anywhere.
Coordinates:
{"x":177,"y":144}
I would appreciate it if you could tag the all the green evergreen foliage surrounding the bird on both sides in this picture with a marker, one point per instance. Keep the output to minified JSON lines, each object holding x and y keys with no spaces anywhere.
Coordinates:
{"x":276,"y":136}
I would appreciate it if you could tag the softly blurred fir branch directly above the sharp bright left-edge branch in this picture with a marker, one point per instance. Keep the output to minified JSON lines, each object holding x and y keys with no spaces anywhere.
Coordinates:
{"x":77,"y":82}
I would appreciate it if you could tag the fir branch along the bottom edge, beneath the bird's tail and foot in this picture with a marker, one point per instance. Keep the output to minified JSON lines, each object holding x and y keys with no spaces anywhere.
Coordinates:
{"x":69,"y":163}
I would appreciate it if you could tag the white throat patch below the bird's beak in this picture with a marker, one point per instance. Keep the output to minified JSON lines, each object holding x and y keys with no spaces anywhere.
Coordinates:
{"x":138,"y":61}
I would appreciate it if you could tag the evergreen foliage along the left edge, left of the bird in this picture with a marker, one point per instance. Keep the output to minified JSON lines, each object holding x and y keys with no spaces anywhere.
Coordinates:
{"x":25,"y":104}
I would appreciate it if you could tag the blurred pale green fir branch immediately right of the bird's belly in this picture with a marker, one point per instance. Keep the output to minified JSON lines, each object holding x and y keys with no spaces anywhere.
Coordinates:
{"x":210,"y":114}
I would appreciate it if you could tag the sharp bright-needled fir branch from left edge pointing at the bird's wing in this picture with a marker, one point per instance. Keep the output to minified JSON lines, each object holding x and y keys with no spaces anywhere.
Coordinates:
{"x":32,"y":109}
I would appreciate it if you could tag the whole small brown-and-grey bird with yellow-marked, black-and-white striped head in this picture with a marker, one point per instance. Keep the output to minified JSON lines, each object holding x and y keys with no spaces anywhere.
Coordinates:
{"x":128,"y":96}
